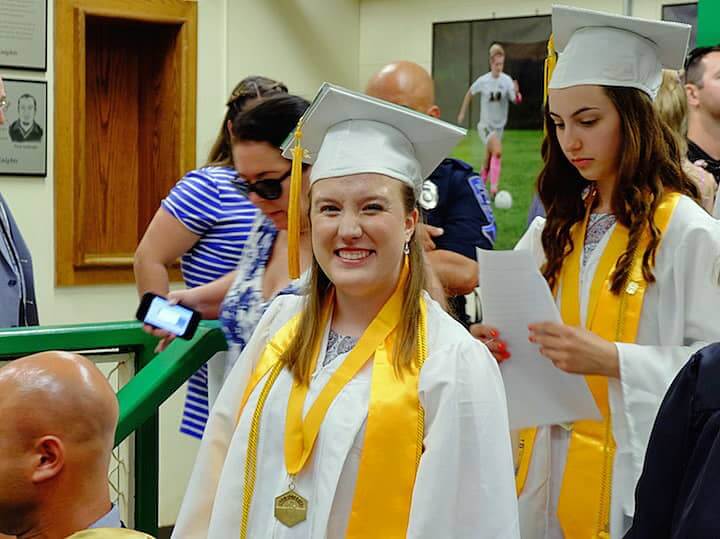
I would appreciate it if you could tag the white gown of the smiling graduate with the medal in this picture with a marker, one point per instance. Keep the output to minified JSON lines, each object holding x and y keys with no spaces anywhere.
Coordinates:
{"x":465,"y":483}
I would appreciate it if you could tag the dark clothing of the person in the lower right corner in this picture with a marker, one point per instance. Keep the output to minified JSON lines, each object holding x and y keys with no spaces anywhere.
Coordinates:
{"x":677,"y":495}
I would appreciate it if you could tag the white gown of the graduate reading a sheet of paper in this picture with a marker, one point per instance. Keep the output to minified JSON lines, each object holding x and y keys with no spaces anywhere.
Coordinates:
{"x":681,"y":313}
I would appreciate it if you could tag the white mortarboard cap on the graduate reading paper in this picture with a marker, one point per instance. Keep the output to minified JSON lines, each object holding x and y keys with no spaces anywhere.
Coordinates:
{"x":614,"y":50}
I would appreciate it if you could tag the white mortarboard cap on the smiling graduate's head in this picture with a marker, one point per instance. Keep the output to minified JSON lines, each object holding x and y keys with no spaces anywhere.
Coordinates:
{"x":346,"y":133}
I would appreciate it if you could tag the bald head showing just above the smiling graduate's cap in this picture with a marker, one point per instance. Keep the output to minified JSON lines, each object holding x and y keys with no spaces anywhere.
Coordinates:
{"x":407,"y":84}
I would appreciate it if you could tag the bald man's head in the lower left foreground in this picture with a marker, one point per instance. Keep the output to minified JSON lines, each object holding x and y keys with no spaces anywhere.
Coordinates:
{"x":58,"y":416}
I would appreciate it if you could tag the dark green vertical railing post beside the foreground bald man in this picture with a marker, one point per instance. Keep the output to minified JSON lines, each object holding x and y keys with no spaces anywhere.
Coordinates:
{"x":147,"y":463}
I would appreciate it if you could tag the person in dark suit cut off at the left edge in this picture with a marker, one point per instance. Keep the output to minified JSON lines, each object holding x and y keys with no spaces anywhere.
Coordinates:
{"x":17,"y":287}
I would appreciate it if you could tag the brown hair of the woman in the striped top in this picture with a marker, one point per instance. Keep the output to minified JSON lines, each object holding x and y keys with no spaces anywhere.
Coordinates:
{"x":247,"y":90}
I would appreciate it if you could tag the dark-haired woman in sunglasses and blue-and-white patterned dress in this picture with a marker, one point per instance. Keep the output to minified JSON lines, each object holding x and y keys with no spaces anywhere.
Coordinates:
{"x":240,"y":298}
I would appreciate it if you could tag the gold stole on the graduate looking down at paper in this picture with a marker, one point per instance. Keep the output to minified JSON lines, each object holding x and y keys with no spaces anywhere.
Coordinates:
{"x":584,"y":504}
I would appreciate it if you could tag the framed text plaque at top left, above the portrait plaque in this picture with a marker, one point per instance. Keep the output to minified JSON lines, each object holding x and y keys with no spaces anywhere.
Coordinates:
{"x":23,"y":34}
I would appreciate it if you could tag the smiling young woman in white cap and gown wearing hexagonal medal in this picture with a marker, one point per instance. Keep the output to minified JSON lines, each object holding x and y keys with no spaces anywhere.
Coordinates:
{"x":363,"y":409}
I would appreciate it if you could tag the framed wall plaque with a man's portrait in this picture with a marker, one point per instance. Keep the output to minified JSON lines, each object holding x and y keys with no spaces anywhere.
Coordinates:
{"x":23,"y":137}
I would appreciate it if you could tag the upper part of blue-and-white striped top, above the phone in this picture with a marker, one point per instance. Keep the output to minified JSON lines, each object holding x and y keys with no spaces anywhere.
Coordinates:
{"x":209,"y":205}
